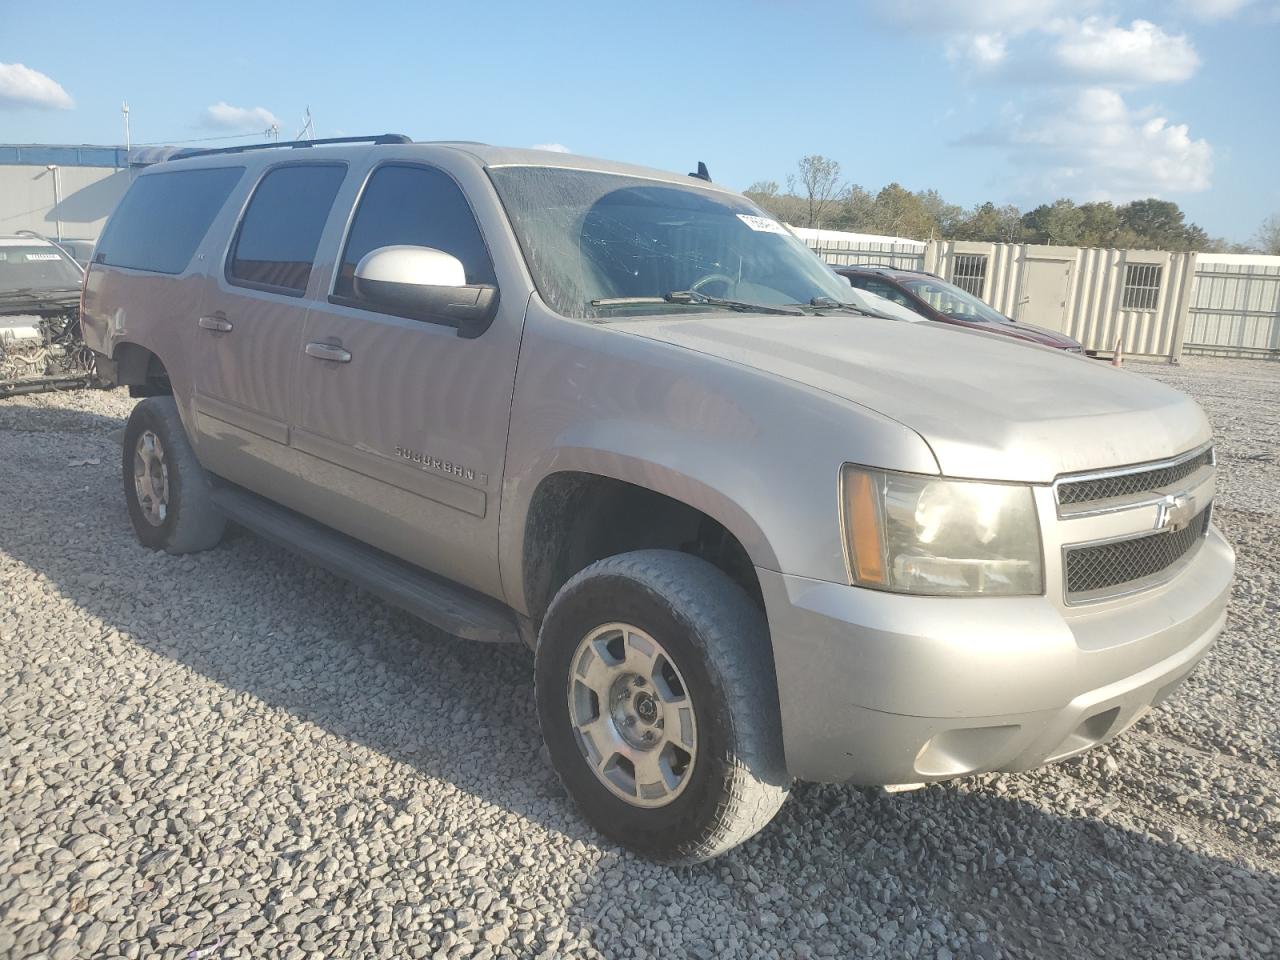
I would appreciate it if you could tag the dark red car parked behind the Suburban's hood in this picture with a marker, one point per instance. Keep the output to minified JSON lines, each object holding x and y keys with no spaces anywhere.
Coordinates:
{"x":938,"y":300}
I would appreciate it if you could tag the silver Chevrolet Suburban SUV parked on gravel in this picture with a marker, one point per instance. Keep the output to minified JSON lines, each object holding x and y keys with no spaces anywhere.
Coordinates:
{"x":752,"y":532}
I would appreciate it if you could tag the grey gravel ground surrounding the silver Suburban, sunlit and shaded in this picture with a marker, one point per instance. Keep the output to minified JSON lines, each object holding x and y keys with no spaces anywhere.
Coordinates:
{"x":237,"y":756}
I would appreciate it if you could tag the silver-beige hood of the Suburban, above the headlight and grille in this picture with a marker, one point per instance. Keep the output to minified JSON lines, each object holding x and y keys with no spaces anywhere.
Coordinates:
{"x":990,"y":408}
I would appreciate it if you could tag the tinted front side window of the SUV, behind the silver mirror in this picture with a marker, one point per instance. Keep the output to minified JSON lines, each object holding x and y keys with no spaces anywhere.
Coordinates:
{"x":419,"y":207}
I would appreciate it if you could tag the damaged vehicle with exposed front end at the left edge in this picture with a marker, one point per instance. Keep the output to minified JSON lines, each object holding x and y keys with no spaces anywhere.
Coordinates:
{"x":42,"y":348}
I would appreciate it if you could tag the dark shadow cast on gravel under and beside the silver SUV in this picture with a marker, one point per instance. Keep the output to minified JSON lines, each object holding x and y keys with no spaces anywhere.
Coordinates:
{"x":857,"y":870}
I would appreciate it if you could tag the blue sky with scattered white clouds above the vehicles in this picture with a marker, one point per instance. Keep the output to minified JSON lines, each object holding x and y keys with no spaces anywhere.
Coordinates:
{"x":1014,"y":102}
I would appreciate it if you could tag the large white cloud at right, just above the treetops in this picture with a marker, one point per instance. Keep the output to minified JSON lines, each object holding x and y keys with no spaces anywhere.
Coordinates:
{"x":1091,"y":147}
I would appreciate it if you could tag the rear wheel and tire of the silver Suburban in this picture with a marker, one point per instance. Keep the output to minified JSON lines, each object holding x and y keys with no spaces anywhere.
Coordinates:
{"x":177,"y":514}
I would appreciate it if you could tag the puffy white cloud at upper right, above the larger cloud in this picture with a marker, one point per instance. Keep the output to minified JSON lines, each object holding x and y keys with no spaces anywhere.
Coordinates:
{"x":1099,"y":49}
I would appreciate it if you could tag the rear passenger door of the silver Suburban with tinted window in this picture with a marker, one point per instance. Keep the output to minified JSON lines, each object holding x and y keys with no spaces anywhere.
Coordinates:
{"x":246,"y":339}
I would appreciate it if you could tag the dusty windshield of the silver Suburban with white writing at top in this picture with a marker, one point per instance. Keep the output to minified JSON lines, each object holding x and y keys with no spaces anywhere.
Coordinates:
{"x":597,"y":237}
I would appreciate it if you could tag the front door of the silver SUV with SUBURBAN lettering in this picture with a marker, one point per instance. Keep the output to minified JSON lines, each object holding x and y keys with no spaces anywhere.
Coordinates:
{"x":403,"y":424}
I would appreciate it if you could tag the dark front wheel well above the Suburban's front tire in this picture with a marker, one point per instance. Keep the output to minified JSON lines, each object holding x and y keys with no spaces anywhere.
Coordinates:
{"x":578,"y":519}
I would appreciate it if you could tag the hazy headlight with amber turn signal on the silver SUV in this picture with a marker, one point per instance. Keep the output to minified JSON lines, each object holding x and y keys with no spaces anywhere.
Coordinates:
{"x":949,"y":538}
